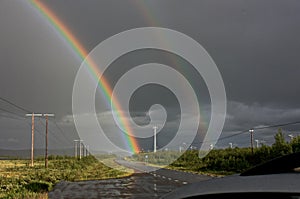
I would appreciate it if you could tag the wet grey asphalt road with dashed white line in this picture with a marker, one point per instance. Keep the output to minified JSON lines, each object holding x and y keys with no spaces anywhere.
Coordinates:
{"x":152,"y":184}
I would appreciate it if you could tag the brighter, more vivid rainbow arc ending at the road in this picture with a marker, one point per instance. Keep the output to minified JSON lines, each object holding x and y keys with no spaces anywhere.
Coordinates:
{"x":81,"y":52}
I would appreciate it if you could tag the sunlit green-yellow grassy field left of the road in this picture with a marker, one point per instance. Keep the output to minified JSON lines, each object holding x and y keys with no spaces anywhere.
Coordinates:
{"x":19,"y":180}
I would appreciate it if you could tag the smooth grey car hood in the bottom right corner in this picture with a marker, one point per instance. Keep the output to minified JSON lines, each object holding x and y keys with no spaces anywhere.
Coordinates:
{"x":274,"y":183}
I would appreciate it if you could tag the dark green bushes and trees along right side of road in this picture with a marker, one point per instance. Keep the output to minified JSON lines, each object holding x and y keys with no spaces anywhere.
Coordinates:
{"x":230,"y":160}
